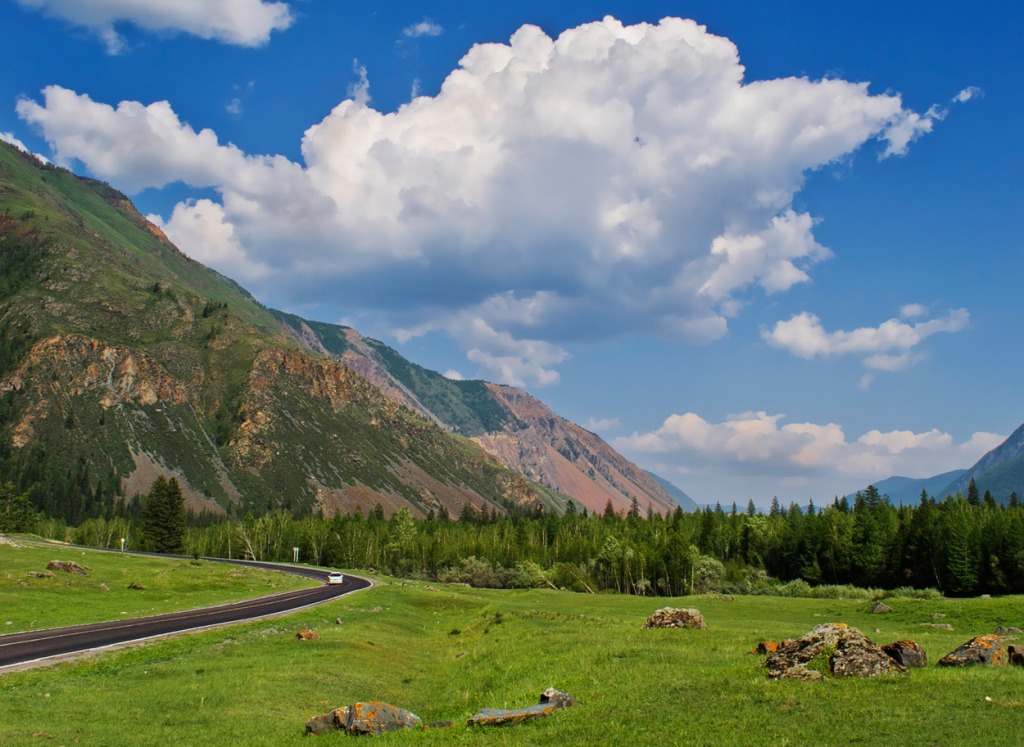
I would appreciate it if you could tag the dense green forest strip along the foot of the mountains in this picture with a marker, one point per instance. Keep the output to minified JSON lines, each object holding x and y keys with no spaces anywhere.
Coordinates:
{"x":961,"y":546}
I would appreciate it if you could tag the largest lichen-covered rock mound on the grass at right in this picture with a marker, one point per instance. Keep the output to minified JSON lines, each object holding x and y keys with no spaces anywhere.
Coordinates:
{"x":832,"y":649}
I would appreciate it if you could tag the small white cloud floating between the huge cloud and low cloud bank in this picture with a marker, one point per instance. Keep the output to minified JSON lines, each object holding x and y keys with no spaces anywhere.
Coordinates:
{"x":886,"y":348}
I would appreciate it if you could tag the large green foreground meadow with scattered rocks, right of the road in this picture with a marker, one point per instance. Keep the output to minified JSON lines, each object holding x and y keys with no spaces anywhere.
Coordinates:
{"x":444,"y":652}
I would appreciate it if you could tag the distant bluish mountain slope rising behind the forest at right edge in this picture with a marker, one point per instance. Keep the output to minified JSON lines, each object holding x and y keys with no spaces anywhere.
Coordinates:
{"x":1001,"y":473}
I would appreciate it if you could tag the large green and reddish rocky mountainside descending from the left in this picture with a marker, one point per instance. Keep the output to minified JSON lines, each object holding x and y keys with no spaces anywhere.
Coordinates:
{"x":122,"y":359}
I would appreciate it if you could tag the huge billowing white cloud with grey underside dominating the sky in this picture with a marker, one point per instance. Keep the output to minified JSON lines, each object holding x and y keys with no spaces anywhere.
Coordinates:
{"x":618,"y":178}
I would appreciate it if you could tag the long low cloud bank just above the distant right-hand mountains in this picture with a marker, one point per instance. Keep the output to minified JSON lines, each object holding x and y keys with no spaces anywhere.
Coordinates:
{"x":755,"y":452}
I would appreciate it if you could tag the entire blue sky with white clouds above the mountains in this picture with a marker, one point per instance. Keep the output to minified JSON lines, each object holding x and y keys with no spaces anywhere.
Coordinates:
{"x":774,"y":253}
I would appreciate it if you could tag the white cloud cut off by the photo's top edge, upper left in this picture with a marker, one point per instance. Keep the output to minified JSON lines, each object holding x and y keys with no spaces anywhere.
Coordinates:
{"x":245,"y":23}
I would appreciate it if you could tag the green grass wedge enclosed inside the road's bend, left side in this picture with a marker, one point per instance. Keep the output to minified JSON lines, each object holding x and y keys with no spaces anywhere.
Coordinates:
{"x":29,"y":603}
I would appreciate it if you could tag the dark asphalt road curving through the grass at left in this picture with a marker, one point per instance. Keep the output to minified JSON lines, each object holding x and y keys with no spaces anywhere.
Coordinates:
{"x":36,"y":645}
